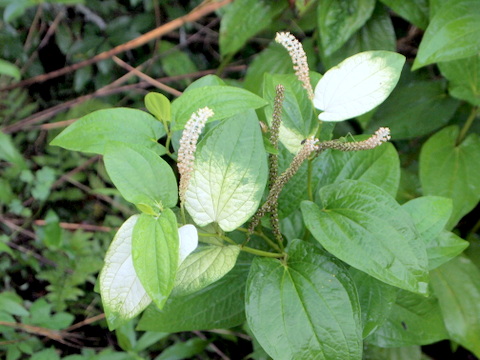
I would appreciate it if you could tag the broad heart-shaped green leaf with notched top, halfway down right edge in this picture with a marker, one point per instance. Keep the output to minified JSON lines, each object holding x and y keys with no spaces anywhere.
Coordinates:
{"x":451,"y":170}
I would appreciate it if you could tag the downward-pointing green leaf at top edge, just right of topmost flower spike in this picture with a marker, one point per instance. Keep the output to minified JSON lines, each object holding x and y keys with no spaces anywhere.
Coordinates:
{"x":338,"y":20}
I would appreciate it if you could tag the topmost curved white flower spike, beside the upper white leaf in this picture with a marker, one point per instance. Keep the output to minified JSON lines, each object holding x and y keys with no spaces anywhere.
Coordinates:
{"x":299,"y":59}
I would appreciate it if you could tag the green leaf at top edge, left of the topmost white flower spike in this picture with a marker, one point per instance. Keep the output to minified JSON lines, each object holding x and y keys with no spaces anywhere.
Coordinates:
{"x":243,"y":19}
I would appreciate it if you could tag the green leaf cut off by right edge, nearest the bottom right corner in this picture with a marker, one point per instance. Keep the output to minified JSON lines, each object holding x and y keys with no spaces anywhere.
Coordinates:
{"x":457,"y":286}
